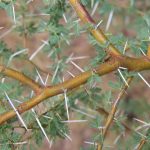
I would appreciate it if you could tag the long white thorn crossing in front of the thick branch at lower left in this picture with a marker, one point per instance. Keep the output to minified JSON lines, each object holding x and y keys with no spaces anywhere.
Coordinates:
{"x":16,"y":111}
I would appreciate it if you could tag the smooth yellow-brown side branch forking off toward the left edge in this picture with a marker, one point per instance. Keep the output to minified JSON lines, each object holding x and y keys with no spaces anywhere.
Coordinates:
{"x":20,"y":77}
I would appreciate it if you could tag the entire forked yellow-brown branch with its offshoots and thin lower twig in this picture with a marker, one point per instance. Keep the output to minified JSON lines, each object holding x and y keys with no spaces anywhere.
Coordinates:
{"x":115,"y":61}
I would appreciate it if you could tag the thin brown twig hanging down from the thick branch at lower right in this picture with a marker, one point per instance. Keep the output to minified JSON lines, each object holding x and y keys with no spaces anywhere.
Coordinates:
{"x":111,"y":115}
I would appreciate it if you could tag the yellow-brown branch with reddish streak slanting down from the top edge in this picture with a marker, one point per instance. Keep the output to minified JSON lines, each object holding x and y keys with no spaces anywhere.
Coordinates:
{"x":97,"y":33}
